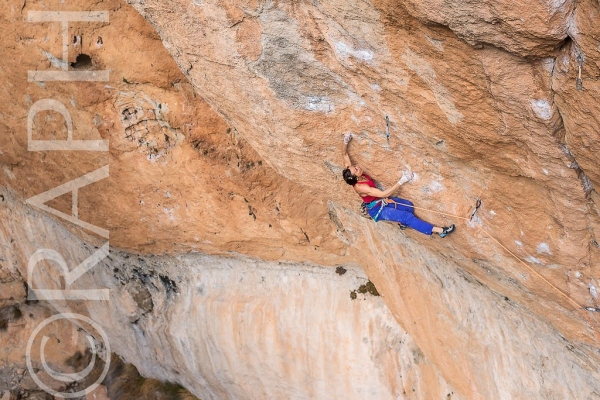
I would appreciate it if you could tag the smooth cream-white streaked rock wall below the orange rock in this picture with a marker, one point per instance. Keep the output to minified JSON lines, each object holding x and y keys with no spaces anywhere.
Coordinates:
{"x":231,"y":328}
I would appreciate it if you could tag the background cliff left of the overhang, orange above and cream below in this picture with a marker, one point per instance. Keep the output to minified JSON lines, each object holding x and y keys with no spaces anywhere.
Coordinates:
{"x":180,"y":180}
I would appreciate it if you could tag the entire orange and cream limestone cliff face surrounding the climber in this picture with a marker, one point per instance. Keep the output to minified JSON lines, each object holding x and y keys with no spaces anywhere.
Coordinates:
{"x":234,"y":148}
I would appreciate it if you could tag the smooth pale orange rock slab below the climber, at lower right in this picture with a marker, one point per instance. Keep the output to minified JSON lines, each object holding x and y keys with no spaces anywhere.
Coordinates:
{"x":479,"y":334}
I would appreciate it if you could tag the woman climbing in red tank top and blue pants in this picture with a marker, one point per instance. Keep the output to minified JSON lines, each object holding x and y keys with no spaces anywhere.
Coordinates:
{"x":379,"y":205}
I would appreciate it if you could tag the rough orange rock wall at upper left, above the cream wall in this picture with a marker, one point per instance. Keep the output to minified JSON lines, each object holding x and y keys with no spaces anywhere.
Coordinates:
{"x":179,"y":177}
